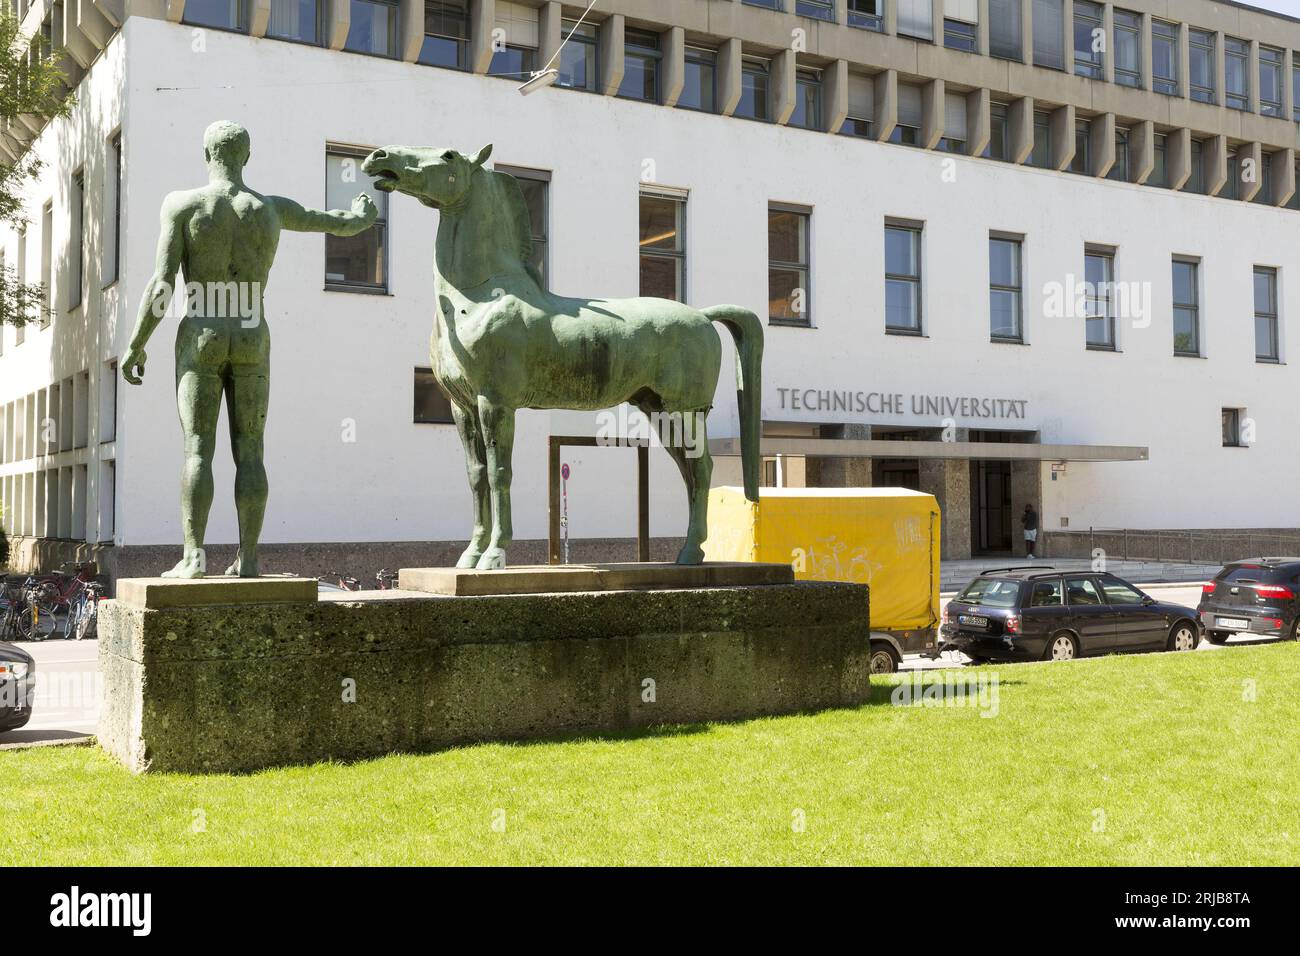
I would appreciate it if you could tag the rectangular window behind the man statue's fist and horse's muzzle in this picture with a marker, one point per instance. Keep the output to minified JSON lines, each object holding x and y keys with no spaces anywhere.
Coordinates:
{"x":356,"y":263}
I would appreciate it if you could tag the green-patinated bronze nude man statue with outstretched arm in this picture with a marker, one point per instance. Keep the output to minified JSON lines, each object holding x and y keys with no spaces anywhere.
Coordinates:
{"x":223,"y":237}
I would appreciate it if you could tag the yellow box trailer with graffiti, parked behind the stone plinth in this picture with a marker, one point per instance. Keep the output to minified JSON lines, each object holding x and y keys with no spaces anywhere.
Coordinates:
{"x":885,"y":538}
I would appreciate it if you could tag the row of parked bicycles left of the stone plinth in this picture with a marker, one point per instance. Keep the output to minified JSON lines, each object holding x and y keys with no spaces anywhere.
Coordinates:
{"x":64,"y":604}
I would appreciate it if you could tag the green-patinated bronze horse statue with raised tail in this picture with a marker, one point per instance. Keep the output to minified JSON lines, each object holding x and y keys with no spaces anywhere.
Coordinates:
{"x":504,"y":341}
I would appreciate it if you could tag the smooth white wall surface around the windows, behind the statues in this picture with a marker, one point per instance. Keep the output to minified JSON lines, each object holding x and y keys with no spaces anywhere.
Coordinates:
{"x":349,"y":357}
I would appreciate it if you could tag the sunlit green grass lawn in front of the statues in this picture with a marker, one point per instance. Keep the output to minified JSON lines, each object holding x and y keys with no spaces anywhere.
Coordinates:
{"x":1156,"y":759}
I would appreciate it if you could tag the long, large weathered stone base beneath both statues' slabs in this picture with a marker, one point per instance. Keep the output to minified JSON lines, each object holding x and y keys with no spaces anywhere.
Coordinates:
{"x":236,"y":689}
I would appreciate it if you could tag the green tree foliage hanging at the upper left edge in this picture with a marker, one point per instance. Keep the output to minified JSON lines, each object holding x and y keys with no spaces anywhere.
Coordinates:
{"x":32,"y":85}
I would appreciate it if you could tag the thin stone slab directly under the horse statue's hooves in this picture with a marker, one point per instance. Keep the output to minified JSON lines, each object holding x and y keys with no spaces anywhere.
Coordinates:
{"x":541,"y":579}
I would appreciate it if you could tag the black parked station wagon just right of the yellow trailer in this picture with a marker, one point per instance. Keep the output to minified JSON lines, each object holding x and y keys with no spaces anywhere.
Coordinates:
{"x":1045,"y":615}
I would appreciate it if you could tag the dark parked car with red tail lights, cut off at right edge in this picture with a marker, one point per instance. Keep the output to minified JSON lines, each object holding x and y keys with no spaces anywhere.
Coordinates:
{"x":1255,"y":596}
